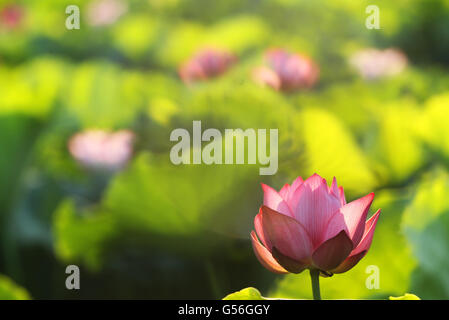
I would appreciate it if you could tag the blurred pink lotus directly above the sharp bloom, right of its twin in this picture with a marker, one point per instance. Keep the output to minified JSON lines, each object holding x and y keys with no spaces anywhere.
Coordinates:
{"x":287,"y":71}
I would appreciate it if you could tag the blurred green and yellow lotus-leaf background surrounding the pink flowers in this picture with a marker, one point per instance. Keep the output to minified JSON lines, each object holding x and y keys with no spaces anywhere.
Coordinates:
{"x":155,"y":230}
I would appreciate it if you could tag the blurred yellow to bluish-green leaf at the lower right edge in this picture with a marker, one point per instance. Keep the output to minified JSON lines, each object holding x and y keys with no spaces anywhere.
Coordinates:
{"x":426,"y":224}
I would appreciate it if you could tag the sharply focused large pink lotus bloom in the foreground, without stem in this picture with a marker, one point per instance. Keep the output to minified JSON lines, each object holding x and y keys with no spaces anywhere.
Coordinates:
{"x":309,"y":225}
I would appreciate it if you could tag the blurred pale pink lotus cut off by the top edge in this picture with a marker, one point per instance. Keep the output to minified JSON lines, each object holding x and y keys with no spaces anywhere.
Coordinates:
{"x":105,"y":12}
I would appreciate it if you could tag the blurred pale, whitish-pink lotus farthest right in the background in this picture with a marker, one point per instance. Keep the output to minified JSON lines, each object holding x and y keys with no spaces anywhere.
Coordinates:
{"x":374,"y":63}
